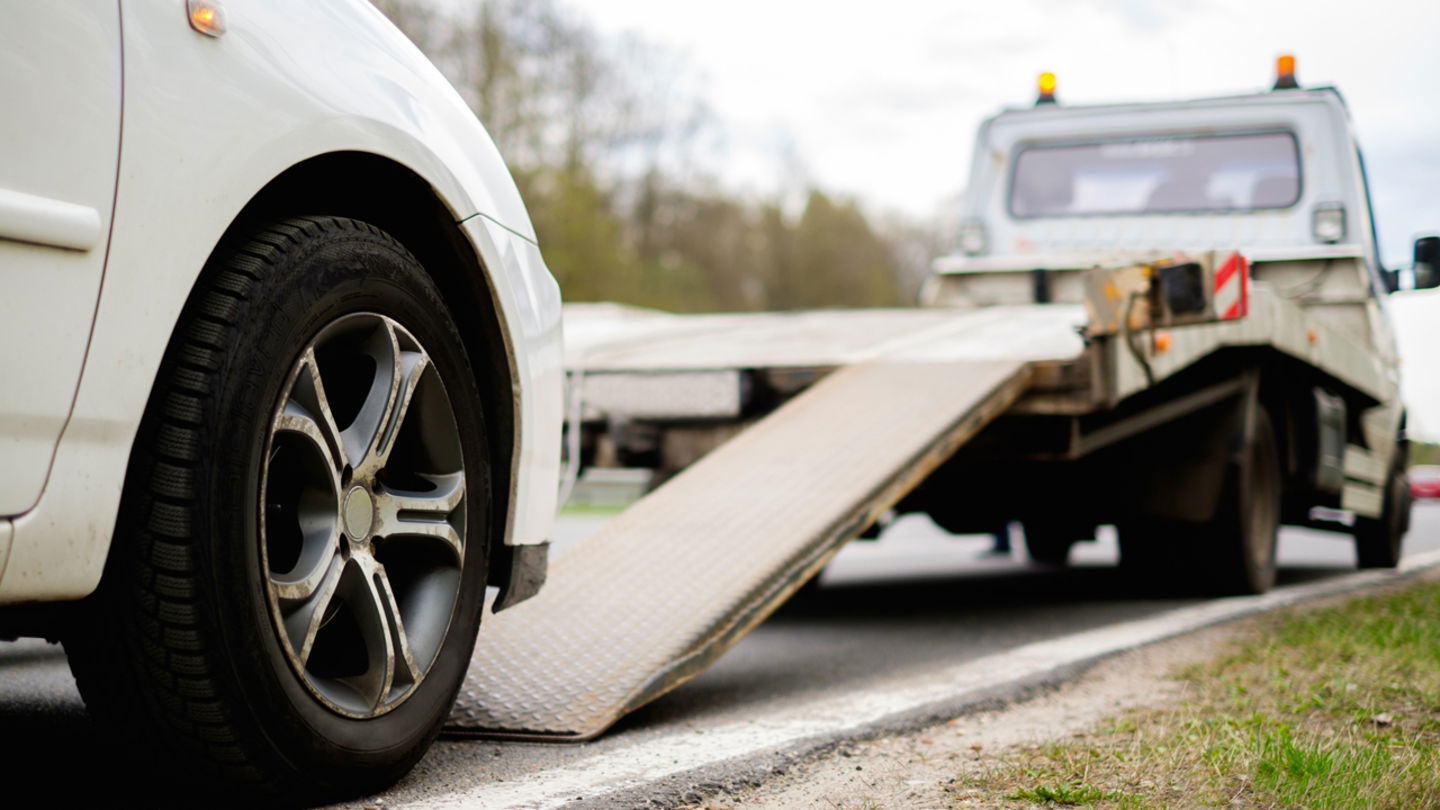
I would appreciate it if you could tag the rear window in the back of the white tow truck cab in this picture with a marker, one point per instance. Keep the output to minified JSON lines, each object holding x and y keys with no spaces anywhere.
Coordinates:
{"x":1157,"y":175}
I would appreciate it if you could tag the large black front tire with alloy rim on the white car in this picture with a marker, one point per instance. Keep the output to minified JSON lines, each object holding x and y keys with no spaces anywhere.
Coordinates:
{"x":299,"y":566}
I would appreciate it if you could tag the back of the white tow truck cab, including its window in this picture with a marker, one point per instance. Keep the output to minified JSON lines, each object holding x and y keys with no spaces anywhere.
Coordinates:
{"x":1062,"y":185}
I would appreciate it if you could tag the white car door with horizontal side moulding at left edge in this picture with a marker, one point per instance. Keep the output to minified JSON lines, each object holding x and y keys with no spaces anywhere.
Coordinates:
{"x":60,"y":146}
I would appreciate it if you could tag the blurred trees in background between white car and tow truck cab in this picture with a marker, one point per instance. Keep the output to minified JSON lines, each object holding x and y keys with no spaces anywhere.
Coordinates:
{"x":610,"y":141}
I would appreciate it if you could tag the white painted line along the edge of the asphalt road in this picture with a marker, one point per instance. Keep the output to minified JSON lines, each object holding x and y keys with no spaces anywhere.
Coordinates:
{"x":688,"y":750}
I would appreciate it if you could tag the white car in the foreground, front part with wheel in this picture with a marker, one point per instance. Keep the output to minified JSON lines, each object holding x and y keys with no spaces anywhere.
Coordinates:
{"x":280,"y":388}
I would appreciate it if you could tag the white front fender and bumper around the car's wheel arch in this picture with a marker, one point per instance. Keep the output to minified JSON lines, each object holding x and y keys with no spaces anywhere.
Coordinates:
{"x":208,"y":123}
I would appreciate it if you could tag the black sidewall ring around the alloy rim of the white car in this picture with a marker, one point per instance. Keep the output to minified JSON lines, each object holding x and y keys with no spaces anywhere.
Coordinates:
{"x":318,"y":283}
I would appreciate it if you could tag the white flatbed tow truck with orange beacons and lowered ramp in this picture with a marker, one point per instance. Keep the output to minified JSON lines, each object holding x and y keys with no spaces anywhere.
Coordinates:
{"x":1167,"y":318}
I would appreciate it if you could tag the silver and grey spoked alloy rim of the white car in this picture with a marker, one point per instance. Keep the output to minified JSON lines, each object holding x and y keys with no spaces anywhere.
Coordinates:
{"x":364,"y":515}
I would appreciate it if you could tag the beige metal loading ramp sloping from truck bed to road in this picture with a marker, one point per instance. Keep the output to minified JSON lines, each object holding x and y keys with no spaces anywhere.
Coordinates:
{"x":662,"y":592}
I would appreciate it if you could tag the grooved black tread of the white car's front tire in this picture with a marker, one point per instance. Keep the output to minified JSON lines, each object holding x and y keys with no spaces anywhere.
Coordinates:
{"x":161,"y":612}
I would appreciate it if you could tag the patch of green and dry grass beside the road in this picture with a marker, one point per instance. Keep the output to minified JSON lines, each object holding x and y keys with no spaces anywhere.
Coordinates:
{"x":1331,"y":708}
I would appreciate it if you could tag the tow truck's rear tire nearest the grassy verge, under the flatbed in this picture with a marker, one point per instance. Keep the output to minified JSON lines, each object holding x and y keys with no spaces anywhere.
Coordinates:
{"x":1239,"y":546}
